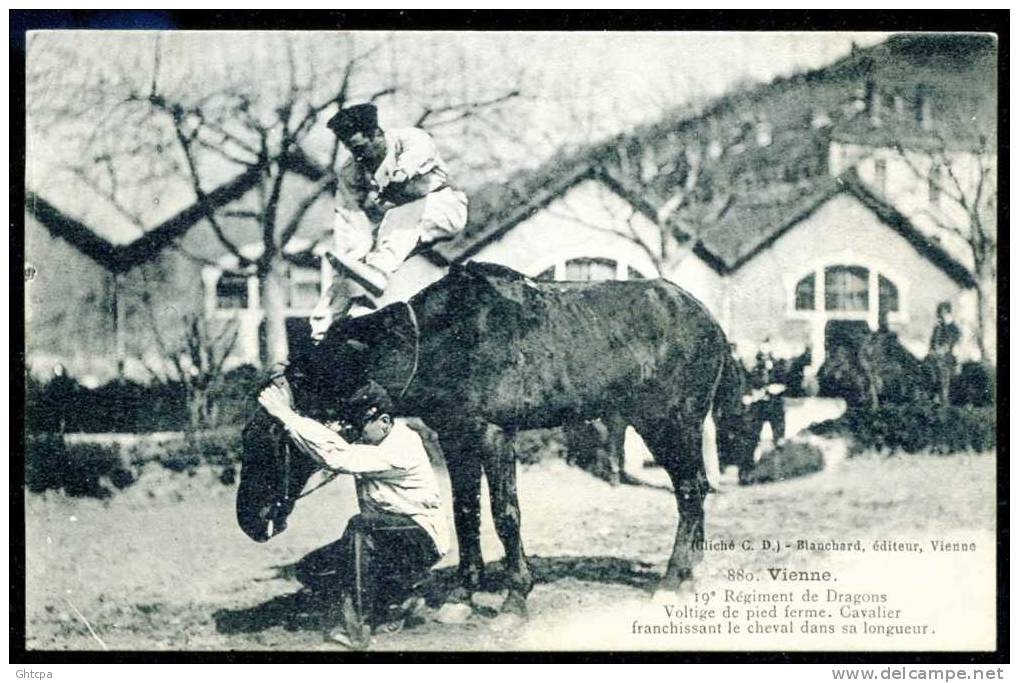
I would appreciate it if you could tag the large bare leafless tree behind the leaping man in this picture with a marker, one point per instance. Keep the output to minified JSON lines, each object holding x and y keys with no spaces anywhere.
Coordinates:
{"x":166,"y":126}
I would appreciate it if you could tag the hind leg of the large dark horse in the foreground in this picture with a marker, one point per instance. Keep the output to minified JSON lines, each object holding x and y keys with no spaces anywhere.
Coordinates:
{"x":676,"y":445}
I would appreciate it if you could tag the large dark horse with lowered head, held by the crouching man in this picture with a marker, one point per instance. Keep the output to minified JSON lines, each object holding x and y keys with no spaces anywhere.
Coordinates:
{"x":486,"y":352}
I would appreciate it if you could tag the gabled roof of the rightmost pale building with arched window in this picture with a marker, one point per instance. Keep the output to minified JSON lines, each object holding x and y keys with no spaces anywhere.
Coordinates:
{"x":756,"y":223}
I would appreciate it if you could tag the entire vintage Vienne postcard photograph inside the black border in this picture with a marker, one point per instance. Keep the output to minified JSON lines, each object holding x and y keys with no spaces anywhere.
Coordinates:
{"x":351,"y":341}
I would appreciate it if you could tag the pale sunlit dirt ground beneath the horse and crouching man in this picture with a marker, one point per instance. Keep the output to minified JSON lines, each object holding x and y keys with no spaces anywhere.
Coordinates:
{"x":164,"y":566}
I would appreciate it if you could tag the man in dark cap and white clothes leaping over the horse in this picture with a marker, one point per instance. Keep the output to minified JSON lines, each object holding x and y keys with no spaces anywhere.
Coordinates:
{"x":395,"y":196}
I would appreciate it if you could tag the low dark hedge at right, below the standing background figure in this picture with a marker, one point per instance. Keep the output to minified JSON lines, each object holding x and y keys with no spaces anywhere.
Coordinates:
{"x":917,"y":428}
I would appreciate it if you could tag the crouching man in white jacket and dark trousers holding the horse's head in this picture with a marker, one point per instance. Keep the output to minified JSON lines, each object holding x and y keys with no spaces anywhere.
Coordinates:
{"x":401,"y":530}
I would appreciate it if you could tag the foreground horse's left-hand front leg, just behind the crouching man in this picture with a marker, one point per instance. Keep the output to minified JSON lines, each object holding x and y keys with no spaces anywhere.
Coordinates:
{"x":464,"y":464}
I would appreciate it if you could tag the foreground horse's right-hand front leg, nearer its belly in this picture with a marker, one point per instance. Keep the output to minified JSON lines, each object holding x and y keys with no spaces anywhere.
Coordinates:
{"x":501,"y":470}
